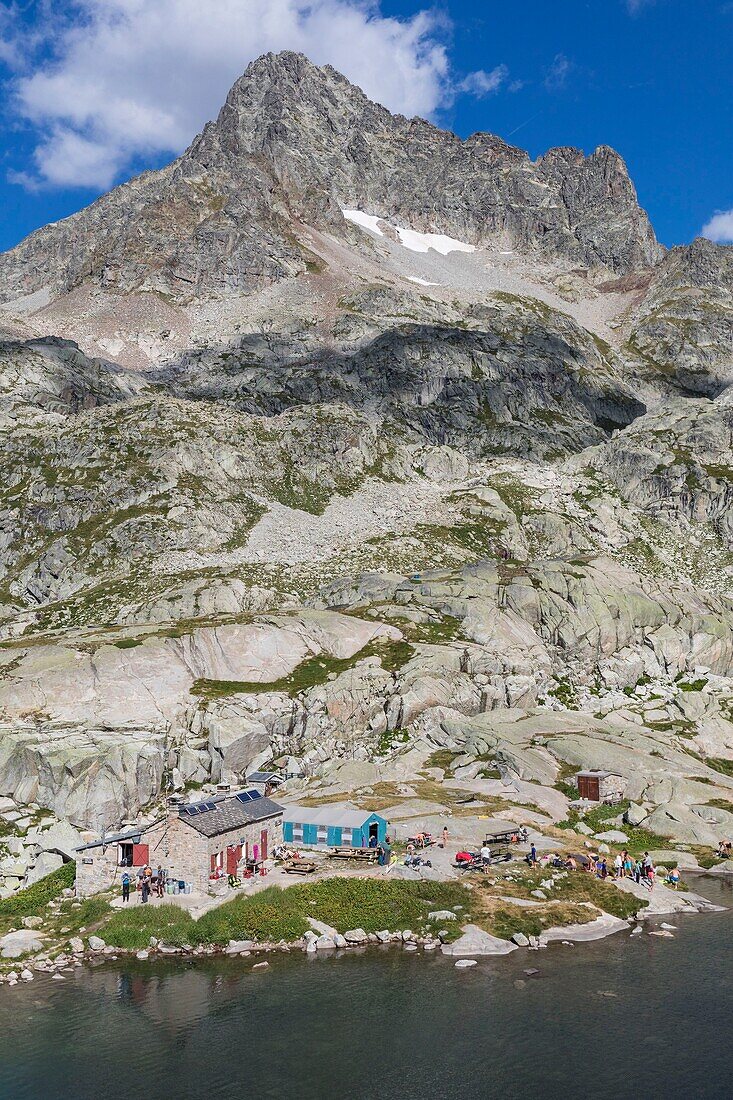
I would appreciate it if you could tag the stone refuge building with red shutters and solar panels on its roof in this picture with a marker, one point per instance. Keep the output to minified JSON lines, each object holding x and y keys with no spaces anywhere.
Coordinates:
{"x":195,"y":843}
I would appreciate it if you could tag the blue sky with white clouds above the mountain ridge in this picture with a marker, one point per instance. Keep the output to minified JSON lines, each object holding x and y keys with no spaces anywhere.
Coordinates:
{"x":95,"y":91}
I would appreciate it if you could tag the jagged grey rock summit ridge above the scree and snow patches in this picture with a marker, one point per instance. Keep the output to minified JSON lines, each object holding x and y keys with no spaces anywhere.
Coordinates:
{"x":294,"y":144}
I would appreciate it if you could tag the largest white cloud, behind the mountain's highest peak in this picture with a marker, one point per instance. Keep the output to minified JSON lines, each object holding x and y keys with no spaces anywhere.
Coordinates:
{"x":139,"y":79}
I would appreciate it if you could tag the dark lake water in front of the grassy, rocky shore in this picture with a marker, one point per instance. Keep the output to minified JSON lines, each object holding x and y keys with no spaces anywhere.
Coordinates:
{"x":627,"y":1017}
